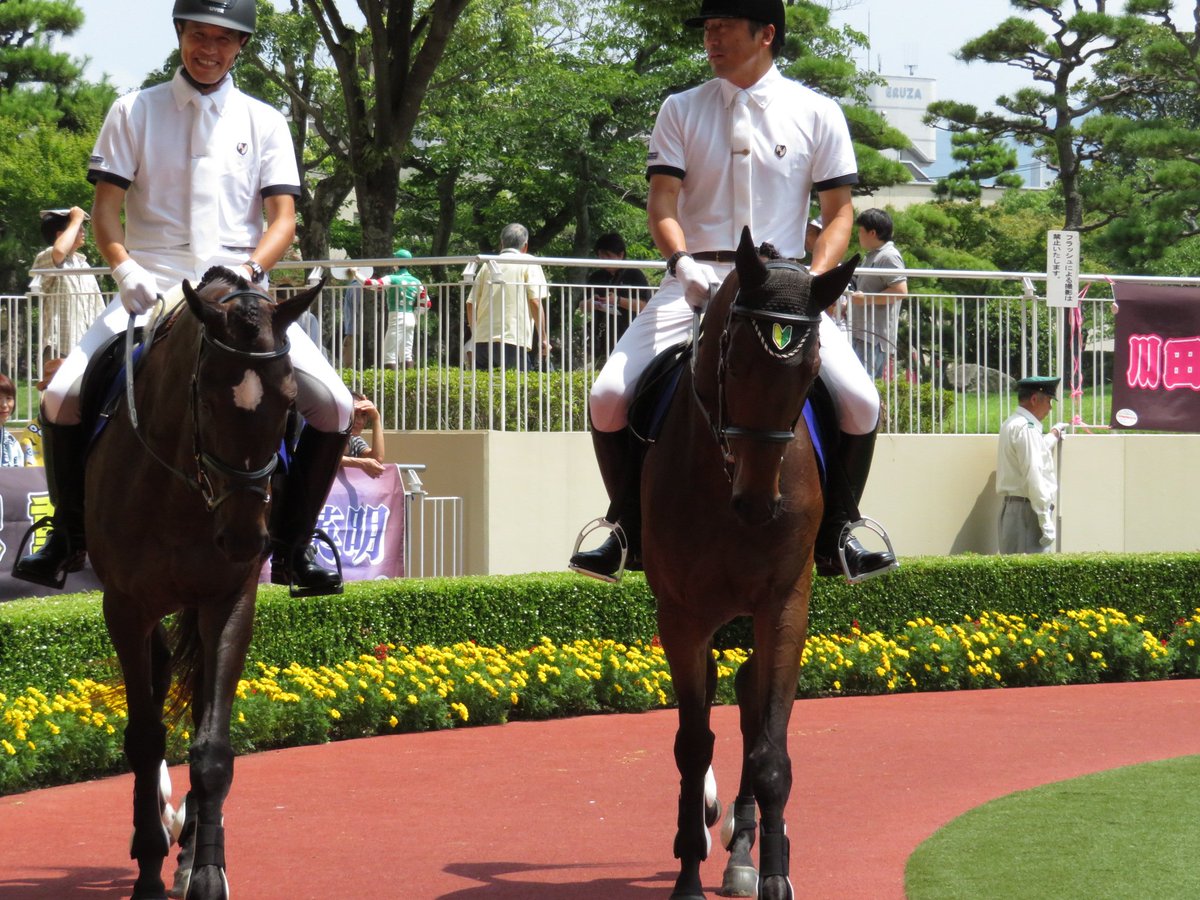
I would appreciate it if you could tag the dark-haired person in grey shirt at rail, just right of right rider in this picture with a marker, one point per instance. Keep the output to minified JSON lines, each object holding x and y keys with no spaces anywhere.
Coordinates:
{"x":875,"y":305}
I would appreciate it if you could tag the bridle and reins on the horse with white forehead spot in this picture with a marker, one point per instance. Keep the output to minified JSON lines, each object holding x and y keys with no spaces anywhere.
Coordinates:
{"x":243,"y":479}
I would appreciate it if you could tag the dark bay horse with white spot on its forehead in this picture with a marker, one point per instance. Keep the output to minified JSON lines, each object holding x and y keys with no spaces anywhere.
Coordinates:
{"x":178,"y":501}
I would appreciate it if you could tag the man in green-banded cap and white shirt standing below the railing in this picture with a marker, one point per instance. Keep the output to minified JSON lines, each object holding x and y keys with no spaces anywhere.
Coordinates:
{"x":1025,"y":472}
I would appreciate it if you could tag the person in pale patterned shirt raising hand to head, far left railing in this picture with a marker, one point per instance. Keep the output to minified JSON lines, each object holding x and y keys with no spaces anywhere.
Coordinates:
{"x":70,"y":299}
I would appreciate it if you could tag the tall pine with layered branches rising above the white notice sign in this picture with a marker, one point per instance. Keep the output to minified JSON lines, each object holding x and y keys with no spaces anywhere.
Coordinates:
{"x":1057,"y":49}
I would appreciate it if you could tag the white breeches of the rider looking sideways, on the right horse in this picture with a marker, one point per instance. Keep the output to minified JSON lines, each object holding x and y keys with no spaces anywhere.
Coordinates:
{"x":668,"y":321}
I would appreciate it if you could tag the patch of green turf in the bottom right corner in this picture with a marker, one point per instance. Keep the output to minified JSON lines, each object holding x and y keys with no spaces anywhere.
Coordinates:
{"x":1131,"y":833}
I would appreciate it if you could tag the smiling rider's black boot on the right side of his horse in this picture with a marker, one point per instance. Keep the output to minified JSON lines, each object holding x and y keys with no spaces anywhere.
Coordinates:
{"x":298,"y":507}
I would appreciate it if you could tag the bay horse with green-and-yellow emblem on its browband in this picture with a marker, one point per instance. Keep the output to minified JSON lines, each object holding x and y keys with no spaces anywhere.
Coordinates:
{"x":731,"y":501}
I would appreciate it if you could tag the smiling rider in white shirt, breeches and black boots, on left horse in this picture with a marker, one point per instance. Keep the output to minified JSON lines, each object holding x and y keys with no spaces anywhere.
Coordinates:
{"x":195,"y":164}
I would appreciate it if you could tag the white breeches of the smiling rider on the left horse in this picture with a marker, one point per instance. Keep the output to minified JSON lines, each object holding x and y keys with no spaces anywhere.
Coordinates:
{"x":322,"y":399}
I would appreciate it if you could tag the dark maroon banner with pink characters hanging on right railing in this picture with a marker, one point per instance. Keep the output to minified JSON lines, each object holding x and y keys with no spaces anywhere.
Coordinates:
{"x":1156,"y":363}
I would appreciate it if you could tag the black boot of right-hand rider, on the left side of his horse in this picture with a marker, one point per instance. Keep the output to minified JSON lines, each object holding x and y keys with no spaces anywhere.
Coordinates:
{"x":620,"y":457}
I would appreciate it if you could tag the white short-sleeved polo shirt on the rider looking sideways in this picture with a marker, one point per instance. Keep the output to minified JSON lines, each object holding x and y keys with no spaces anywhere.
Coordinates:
{"x":801,"y":142}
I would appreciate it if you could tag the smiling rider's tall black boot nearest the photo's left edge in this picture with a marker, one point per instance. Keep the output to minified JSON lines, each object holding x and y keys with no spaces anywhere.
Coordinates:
{"x":64,"y":448}
